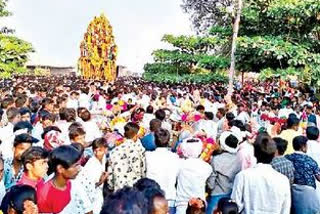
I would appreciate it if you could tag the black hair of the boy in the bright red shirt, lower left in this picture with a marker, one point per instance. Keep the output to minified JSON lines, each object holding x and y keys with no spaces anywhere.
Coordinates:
{"x":65,"y":156}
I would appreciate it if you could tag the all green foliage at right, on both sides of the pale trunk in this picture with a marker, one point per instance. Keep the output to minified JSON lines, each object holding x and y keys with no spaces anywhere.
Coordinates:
{"x":276,"y":38}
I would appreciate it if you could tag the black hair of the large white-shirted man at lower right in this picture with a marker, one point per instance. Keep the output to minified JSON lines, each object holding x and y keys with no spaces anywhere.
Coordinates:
{"x":264,"y":148}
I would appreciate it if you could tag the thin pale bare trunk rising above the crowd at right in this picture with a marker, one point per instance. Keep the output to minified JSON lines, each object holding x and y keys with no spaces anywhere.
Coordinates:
{"x":234,"y":46}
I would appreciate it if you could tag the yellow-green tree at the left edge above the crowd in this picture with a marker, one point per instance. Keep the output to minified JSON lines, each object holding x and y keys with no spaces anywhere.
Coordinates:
{"x":13,"y":51}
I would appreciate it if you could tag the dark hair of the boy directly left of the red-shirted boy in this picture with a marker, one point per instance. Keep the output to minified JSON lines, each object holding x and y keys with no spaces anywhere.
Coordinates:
{"x":33,"y":154}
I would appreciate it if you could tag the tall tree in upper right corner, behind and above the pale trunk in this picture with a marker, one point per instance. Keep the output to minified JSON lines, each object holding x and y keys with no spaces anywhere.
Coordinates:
{"x":275,"y":36}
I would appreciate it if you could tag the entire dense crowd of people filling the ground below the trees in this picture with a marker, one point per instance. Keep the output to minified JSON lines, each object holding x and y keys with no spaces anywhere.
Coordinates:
{"x":76,"y":146}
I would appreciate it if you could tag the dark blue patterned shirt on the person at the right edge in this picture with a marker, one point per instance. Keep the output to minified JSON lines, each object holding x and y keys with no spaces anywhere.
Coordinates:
{"x":305,"y":169}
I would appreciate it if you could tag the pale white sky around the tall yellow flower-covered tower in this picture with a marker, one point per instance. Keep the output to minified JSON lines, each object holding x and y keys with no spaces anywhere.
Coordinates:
{"x":56,"y":27}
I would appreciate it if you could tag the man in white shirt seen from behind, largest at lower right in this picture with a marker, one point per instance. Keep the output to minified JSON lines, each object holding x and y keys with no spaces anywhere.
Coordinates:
{"x":261,"y":189}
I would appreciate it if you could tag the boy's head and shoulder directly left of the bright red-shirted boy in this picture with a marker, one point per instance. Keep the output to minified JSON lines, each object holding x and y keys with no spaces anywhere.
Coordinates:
{"x":35,"y":163}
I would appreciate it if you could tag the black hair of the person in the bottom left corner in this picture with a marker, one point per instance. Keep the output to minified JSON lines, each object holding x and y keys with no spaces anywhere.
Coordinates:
{"x":16,"y":197}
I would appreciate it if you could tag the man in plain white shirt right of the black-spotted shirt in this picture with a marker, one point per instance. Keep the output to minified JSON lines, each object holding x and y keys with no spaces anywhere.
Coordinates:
{"x":163,"y":166}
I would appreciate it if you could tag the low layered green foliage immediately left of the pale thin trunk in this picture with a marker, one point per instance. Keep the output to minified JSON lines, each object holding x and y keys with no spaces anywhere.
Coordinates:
{"x":189,"y":62}
